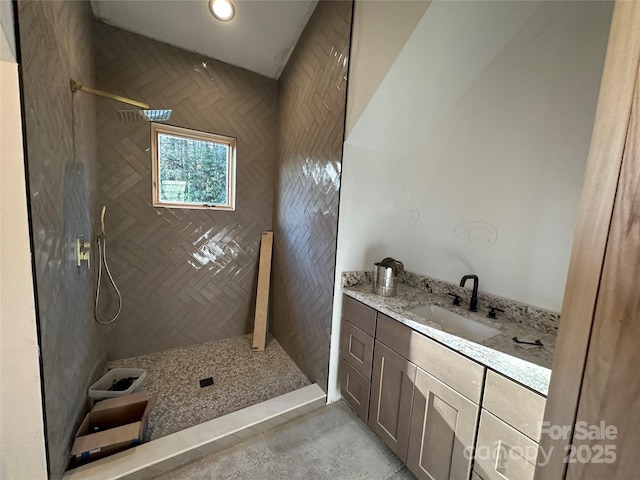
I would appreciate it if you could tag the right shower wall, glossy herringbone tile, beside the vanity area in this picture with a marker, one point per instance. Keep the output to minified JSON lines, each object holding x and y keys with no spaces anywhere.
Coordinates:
{"x":311,"y":109}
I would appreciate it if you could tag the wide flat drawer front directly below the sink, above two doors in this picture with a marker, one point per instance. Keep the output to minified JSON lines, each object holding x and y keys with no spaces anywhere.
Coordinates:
{"x":460,"y":373}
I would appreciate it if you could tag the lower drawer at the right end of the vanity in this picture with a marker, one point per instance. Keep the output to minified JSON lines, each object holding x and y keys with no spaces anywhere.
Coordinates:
{"x":502,"y":452}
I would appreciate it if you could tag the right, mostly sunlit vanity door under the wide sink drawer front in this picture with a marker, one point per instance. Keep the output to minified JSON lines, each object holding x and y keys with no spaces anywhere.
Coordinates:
{"x":443,"y":428}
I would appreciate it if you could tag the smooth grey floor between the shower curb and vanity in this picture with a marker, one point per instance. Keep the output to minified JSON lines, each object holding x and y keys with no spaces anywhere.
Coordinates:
{"x":329,"y":443}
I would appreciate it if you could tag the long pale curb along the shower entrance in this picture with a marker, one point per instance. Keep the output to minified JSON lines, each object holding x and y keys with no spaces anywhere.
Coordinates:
{"x":167,"y":453}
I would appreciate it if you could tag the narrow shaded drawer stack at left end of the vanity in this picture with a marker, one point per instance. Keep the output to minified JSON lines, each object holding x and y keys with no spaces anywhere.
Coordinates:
{"x":356,"y":354}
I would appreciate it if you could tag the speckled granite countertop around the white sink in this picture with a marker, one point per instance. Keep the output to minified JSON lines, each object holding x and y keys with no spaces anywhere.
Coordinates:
{"x":527,"y":364}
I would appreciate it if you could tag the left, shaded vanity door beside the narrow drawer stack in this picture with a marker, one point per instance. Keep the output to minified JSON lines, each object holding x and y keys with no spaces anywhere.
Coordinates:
{"x":391,"y":394}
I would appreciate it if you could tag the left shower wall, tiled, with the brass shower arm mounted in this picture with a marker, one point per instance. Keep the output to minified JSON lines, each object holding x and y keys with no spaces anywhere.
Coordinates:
{"x":56,"y":44}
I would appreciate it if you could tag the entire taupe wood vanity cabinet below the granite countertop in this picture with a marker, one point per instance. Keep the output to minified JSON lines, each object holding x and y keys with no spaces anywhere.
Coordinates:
{"x":428,"y":403}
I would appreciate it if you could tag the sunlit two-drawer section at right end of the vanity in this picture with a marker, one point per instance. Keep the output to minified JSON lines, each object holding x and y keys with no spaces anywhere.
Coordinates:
{"x":509,"y":431}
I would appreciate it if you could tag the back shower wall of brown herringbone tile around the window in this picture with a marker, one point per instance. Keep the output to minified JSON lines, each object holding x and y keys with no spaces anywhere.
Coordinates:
{"x":186,"y":276}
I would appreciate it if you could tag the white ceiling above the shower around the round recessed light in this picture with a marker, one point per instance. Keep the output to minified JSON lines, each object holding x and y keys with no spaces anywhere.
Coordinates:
{"x":260,"y":38}
